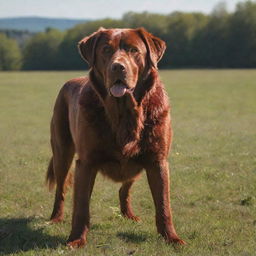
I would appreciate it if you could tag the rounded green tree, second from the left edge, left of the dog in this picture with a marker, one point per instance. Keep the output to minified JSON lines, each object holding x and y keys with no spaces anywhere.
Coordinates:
{"x":41,"y":51}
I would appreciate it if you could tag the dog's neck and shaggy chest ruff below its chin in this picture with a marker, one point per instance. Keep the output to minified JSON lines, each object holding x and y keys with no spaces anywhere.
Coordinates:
{"x":126,"y":114}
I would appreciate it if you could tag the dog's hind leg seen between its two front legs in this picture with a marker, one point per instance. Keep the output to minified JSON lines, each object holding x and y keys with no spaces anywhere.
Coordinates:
{"x":125,"y":201}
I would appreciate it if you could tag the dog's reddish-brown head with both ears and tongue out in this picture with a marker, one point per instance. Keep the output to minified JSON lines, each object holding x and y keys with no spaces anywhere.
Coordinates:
{"x":121,"y":58}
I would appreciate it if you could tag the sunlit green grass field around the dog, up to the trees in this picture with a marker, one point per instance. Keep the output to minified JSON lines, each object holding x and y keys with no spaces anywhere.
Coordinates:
{"x":213,"y":165}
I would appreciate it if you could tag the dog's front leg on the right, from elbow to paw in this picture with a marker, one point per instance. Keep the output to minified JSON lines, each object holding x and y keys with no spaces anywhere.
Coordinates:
{"x":158,"y":179}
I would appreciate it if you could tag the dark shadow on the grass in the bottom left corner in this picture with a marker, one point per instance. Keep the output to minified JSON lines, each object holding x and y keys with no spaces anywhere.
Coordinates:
{"x":20,"y":235}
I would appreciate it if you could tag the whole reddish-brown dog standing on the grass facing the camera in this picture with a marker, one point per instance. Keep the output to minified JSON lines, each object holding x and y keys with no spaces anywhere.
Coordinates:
{"x":117,"y":121}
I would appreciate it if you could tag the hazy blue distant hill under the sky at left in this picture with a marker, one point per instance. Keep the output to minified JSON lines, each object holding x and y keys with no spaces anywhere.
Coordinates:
{"x":38,"y":24}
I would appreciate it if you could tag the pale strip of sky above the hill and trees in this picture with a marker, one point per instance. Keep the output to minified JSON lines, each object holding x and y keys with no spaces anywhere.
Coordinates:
{"x":95,"y":9}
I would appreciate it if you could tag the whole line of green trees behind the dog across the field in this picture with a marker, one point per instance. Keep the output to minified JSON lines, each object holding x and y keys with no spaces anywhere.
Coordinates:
{"x":217,"y":40}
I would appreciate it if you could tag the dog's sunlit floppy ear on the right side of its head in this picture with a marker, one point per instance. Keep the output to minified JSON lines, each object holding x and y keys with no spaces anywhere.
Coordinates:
{"x":155,"y":46}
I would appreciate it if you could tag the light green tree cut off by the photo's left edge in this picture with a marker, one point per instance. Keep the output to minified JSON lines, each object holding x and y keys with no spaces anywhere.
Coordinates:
{"x":10,"y":55}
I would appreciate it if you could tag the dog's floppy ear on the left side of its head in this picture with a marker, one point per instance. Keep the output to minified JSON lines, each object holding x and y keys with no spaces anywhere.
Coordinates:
{"x":87,"y":46}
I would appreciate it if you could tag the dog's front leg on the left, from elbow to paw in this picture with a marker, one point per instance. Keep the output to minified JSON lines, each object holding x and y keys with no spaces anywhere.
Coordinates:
{"x":84,"y":181}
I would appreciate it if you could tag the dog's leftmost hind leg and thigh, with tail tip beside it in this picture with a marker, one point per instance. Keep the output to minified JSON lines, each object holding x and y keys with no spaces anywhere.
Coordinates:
{"x":63,"y":153}
